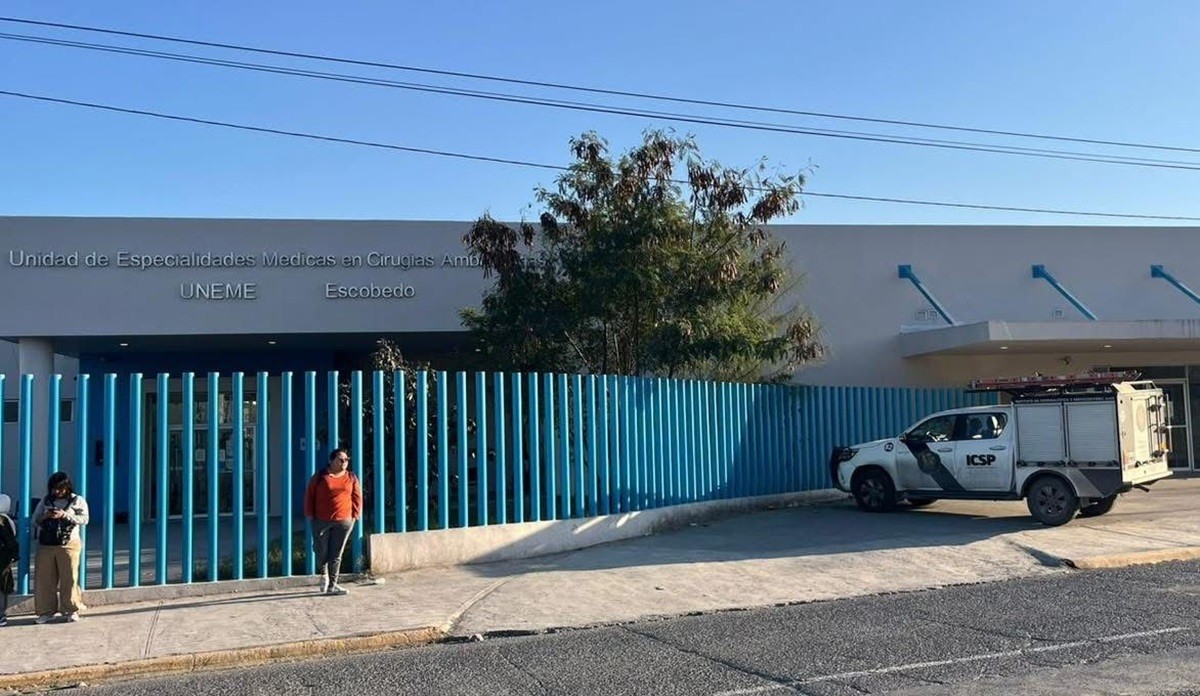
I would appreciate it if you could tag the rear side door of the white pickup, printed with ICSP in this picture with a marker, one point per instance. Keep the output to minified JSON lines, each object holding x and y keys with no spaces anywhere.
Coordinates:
{"x":983,"y":459}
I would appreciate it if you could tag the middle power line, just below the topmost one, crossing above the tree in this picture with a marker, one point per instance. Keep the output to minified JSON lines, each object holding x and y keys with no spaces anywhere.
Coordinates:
{"x":620,"y":111}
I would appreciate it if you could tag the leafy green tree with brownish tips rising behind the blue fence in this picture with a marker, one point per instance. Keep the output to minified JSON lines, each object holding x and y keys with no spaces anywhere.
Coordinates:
{"x":655,"y":263}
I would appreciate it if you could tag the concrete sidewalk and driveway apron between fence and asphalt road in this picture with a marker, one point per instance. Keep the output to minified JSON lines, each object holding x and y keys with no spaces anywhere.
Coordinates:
{"x":797,"y":555}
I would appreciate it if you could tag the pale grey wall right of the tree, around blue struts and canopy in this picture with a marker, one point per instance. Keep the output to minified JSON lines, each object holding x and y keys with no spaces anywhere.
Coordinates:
{"x":979,"y":274}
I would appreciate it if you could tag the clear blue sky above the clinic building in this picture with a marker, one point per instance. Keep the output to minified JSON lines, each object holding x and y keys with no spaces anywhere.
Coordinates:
{"x":1111,"y":70}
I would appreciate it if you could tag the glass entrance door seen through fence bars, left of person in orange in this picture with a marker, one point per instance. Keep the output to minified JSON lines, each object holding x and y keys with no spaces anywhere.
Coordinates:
{"x":203,"y":461}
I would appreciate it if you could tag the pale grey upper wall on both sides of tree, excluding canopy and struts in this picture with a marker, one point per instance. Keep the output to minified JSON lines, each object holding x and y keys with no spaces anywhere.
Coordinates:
{"x":979,"y":273}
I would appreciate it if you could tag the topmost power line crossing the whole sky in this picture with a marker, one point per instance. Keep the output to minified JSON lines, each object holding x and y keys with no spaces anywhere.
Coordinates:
{"x":597,"y":91}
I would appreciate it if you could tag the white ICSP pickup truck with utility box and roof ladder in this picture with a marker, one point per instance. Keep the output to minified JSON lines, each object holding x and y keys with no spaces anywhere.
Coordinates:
{"x":1066,"y":446}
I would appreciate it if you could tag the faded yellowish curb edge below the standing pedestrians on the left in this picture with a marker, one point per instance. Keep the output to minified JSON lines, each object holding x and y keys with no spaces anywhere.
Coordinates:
{"x":224,"y":659}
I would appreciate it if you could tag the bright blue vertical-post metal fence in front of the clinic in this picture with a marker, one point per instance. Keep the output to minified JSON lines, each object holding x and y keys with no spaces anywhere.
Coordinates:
{"x":491,"y":451}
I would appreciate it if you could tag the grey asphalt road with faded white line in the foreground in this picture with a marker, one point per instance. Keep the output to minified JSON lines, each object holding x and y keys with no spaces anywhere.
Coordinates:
{"x":1130,"y":632}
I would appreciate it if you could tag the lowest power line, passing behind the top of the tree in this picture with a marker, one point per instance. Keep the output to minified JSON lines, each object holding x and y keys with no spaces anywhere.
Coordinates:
{"x":554,"y":167}
